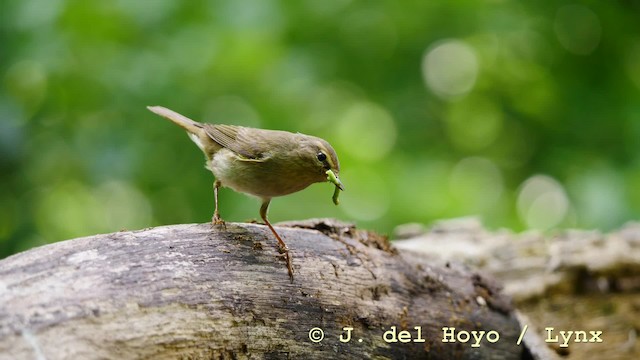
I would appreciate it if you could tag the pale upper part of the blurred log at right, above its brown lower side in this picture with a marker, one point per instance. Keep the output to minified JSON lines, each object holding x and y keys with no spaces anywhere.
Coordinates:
{"x":531,"y":264}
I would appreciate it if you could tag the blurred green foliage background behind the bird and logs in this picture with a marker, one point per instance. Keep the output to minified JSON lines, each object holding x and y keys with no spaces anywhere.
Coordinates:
{"x":526,"y":113}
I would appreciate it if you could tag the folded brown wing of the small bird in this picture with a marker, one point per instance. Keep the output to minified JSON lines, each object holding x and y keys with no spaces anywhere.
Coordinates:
{"x":236,"y":139}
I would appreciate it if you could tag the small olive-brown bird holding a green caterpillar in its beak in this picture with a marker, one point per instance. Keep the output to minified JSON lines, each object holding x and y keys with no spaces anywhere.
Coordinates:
{"x":262,"y":163}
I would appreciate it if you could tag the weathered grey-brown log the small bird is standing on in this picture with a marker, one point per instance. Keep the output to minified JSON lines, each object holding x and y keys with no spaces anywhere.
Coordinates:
{"x":197,"y":291}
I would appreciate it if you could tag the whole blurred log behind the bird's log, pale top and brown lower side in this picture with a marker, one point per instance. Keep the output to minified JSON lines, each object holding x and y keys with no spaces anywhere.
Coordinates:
{"x":570,"y":280}
